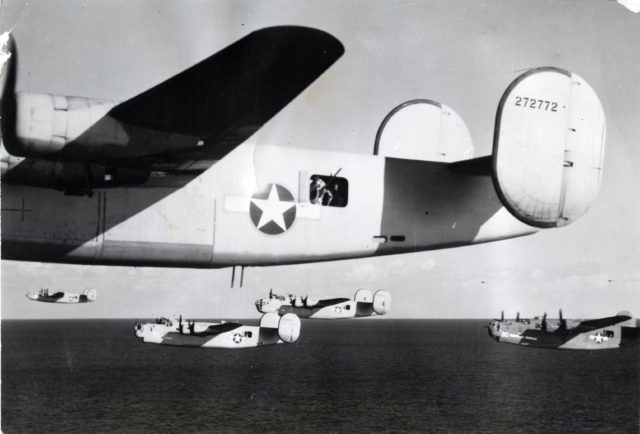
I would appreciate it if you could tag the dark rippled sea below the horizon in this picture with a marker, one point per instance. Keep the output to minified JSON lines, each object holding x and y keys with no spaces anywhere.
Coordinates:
{"x":373,"y":375}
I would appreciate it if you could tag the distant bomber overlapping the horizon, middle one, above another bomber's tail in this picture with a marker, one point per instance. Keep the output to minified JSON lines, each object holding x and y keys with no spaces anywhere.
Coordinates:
{"x":363,"y":304}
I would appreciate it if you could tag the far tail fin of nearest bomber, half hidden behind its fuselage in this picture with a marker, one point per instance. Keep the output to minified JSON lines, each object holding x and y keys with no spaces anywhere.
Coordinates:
{"x":424,"y":130}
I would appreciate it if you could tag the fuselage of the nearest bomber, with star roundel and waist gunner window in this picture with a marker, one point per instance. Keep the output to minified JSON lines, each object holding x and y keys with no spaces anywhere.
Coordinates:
{"x":261,"y":205}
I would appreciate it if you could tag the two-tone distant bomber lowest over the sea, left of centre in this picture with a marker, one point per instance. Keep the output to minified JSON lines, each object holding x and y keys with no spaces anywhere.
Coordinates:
{"x":272,"y":330}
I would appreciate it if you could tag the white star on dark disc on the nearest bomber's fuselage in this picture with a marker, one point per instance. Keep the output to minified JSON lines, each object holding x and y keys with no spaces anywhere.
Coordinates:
{"x":273,"y":209}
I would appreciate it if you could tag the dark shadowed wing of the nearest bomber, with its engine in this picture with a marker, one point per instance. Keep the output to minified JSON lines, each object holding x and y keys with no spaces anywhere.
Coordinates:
{"x":200,"y":114}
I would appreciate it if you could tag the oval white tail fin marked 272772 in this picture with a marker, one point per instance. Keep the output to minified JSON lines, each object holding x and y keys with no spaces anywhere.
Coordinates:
{"x":548,"y":147}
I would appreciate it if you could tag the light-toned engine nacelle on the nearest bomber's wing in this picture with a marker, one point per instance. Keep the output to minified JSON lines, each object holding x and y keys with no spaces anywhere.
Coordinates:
{"x":46,"y":124}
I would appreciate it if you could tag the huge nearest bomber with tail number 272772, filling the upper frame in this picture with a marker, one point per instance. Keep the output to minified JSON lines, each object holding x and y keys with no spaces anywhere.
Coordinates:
{"x":175,"y":176}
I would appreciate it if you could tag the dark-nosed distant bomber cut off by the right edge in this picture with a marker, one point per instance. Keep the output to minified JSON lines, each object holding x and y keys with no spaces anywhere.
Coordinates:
{"x":568,"y":334}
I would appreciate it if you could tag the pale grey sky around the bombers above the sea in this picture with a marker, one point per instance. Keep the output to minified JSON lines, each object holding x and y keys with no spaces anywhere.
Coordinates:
{"x":461,"y":53}
